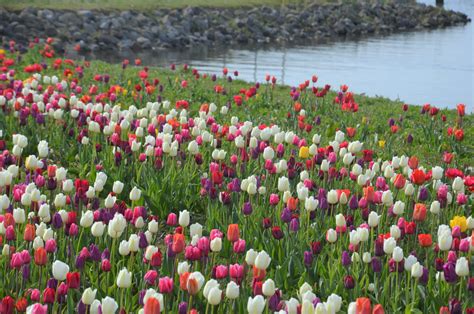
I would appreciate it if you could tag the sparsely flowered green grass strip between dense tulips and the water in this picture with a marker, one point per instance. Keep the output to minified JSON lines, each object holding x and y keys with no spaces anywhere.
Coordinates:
{"x":274,"y":103}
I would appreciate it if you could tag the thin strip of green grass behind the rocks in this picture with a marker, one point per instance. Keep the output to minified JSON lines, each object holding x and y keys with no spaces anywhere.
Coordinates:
{"x":141,"y":5}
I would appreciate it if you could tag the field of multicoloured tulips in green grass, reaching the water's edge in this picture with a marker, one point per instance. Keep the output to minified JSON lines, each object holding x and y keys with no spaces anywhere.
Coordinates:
{"x":128,"y":189}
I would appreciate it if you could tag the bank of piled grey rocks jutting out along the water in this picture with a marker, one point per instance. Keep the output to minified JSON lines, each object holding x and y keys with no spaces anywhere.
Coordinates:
{"x":100,"y":31}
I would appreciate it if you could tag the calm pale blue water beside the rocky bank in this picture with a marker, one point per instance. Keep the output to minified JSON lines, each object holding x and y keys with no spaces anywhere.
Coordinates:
{"x":419,"y":67}
